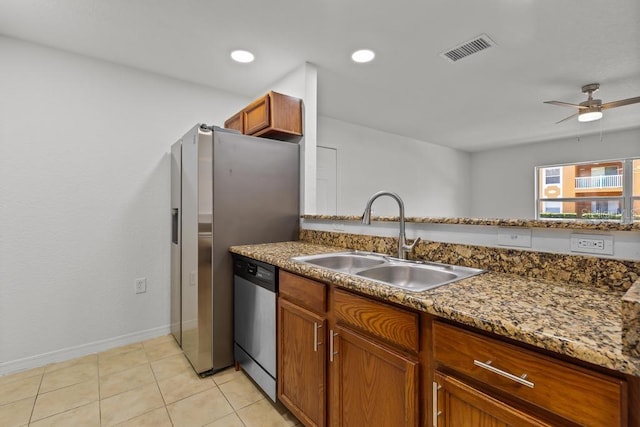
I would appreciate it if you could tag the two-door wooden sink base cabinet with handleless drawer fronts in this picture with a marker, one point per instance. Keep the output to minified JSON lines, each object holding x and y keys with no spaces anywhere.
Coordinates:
{"x":373,"y":379}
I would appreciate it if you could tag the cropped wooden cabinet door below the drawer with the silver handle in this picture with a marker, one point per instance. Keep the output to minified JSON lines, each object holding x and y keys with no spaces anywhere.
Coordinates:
{"x":460,"y":405}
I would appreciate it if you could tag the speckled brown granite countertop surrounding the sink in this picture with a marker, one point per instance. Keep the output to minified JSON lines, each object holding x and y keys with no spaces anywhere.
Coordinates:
{"x":583,"y":323}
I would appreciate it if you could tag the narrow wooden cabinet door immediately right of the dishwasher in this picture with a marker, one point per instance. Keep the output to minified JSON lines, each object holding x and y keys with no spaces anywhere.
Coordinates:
{"x":302,"y":363}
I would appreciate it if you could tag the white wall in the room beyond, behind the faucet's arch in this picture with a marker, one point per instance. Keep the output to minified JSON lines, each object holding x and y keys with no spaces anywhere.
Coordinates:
{"x":431,"y":179}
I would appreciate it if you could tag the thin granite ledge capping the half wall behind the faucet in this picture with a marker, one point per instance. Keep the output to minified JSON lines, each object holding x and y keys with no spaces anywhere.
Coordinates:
{"x":579,"y":225}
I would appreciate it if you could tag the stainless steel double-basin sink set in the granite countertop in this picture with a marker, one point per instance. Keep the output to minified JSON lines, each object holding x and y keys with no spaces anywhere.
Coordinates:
{"x":415,"y":276}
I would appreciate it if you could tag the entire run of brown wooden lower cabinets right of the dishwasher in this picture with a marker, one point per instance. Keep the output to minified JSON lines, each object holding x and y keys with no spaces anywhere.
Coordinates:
{"x":345,"y":359}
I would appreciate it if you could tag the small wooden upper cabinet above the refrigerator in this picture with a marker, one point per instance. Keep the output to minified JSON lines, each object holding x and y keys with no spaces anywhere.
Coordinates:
{"x":275,"y":116}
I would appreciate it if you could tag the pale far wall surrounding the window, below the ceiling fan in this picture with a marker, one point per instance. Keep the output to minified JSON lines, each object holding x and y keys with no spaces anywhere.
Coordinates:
{"x":502,"y":180}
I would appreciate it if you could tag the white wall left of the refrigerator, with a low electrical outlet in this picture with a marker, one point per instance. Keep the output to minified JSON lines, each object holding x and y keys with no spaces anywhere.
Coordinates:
{"x":84,"y":199}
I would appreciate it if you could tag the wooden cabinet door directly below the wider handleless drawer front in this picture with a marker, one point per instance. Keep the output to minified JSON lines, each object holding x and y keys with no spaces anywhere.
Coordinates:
{"x":372,"y":385}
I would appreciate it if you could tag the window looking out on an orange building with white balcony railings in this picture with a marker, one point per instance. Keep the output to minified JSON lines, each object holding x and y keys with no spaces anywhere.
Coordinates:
{"x":606,"y":190}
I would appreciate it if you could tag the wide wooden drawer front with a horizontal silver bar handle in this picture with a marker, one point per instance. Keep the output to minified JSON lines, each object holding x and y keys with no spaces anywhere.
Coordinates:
{"x":585,"y":397}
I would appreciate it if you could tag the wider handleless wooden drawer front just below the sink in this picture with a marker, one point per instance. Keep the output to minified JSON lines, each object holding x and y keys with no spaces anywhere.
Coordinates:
{"x":392,"y":324}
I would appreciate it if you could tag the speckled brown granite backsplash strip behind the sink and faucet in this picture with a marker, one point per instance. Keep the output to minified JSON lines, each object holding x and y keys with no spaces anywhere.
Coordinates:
{"x":588,"y":271}
